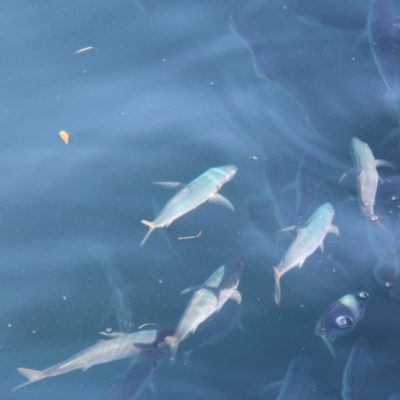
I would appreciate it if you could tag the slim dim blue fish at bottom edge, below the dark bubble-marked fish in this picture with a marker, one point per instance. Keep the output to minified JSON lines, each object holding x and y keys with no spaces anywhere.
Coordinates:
{"x":353,"y":375}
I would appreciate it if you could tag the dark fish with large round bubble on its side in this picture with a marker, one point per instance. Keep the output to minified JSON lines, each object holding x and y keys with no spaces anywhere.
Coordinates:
{"x":341,"y":318}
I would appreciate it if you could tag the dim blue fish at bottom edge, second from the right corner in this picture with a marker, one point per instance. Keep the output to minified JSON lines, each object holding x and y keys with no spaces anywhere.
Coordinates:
{"x":297,"y":383}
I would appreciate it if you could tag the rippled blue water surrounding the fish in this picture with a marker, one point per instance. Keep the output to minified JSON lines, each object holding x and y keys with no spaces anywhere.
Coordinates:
{"x":165,"y":95}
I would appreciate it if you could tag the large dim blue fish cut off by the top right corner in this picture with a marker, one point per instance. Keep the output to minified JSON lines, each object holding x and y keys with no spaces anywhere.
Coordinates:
{"x":383,"y":27}
